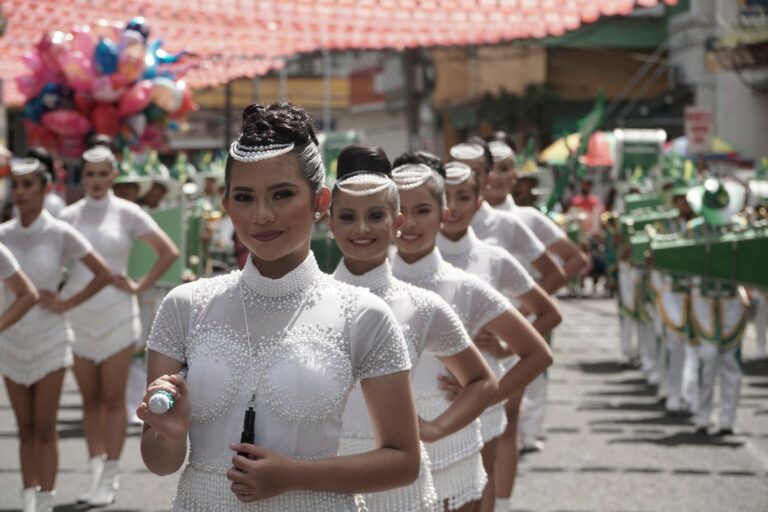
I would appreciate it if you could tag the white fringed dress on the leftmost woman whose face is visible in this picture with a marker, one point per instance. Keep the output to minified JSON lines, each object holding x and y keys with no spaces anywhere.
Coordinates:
{"x":39,"y":343}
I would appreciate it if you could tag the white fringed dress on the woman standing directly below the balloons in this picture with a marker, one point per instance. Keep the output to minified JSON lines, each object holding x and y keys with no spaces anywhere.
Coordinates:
{"x":109,"y":321}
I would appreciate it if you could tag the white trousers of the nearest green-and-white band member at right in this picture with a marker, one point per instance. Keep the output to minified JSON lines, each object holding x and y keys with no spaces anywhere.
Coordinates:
{"x":727,"y":366}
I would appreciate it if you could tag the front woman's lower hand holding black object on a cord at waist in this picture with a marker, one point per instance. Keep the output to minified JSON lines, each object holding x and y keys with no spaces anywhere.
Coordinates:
{"x":262,"y":474}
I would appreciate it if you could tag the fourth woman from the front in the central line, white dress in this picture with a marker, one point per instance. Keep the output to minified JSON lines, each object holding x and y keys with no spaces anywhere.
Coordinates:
{"x":493,"y":265}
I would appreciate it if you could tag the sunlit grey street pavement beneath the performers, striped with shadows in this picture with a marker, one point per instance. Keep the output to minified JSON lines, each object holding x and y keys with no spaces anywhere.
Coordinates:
{"x":609,"y":446}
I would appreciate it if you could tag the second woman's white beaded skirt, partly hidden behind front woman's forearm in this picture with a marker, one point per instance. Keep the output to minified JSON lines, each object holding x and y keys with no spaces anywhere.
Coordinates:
{"x":420,"y":496}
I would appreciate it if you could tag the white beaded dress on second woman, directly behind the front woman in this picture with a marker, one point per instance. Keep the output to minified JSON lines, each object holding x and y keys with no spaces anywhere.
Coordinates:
{"x":428,"y":324}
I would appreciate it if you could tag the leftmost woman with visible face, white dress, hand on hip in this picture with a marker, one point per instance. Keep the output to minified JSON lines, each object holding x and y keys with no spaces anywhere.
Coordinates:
{"x":36,"y":350}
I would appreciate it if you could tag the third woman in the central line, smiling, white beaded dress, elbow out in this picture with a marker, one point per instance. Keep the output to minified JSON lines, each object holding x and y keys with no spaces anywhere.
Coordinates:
{"x":456,"y":460}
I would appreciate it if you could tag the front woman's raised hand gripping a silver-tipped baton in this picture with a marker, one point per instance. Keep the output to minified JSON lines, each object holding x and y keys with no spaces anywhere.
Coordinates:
{"x":174,"y":424}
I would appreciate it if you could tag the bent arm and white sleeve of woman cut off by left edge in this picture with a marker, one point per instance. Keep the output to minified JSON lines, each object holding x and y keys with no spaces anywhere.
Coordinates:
{"x":19,"y":294}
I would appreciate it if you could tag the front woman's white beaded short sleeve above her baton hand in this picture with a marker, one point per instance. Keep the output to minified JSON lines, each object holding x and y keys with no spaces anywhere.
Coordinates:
{"x":169,"y":330}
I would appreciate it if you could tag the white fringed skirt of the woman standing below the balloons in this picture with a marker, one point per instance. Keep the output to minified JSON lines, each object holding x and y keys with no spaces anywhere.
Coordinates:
{"x":105,"y":324}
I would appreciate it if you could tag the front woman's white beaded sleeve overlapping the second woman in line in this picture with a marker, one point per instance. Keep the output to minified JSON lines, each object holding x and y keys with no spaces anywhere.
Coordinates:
{"x":376,"y":341}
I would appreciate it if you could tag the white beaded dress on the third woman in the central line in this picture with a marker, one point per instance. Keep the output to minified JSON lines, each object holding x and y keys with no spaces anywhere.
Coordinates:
{"x":457,"y":467}
